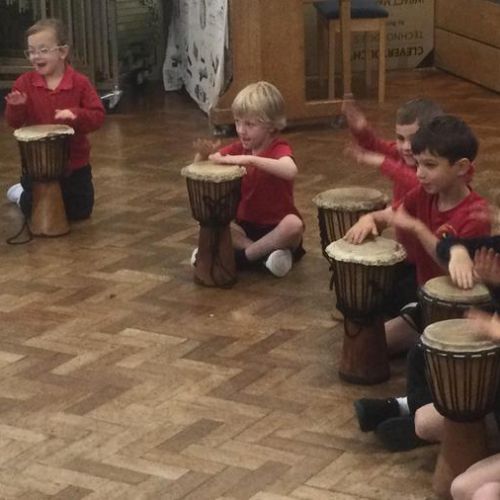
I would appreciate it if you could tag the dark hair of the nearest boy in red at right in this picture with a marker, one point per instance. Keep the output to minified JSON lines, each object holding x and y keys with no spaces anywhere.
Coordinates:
{"x":446,"y":136}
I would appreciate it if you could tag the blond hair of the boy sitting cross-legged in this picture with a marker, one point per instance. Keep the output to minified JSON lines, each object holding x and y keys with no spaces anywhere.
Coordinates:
{"x":263,"y":101}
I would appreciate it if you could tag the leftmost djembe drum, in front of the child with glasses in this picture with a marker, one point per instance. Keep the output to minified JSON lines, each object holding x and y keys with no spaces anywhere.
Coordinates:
{"x":44,"y":157}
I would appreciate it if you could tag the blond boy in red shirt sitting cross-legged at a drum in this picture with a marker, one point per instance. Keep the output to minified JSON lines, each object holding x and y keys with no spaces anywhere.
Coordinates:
{"x":268,"y":227}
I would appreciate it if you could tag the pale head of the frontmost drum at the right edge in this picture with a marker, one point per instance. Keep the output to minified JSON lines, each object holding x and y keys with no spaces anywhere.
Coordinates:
{"x":456,"y":336}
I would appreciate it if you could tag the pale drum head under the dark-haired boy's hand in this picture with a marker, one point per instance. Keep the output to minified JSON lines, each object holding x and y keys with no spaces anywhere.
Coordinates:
{"x":372,"y":252}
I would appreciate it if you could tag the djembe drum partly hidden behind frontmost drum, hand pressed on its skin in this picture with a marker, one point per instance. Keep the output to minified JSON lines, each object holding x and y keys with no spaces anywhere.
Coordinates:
{"x":441,"y":299}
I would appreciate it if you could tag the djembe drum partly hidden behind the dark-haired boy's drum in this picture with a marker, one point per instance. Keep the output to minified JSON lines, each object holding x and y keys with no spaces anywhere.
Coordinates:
{"x":339,"y":209}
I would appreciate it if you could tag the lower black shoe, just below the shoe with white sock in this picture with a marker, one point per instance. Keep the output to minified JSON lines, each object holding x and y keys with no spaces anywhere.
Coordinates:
{"x":398,"y":434}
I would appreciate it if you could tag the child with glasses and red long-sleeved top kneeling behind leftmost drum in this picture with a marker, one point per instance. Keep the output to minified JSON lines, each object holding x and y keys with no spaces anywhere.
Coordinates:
{"x":55,"y":93}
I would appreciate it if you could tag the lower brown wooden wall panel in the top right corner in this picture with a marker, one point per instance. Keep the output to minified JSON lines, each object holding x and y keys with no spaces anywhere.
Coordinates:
{"x":472,"y":60}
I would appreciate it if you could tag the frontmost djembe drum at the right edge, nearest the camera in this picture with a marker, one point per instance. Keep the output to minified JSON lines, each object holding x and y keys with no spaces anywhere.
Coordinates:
{"x":463,"y":372}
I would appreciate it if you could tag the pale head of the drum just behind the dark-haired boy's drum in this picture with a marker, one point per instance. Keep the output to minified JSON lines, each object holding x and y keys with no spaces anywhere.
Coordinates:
{"x":351,"y":199}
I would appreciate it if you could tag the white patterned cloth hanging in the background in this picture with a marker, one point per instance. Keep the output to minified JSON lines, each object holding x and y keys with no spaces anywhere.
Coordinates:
{"x":197,"y":41}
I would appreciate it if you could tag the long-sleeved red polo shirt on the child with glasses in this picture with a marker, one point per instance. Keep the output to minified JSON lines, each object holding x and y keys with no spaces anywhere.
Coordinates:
{"x":74,"y":92}
